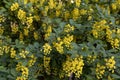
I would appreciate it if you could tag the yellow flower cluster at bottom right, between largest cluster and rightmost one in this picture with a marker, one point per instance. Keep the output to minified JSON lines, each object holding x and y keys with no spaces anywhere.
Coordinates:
{"x":100,"y":70}
